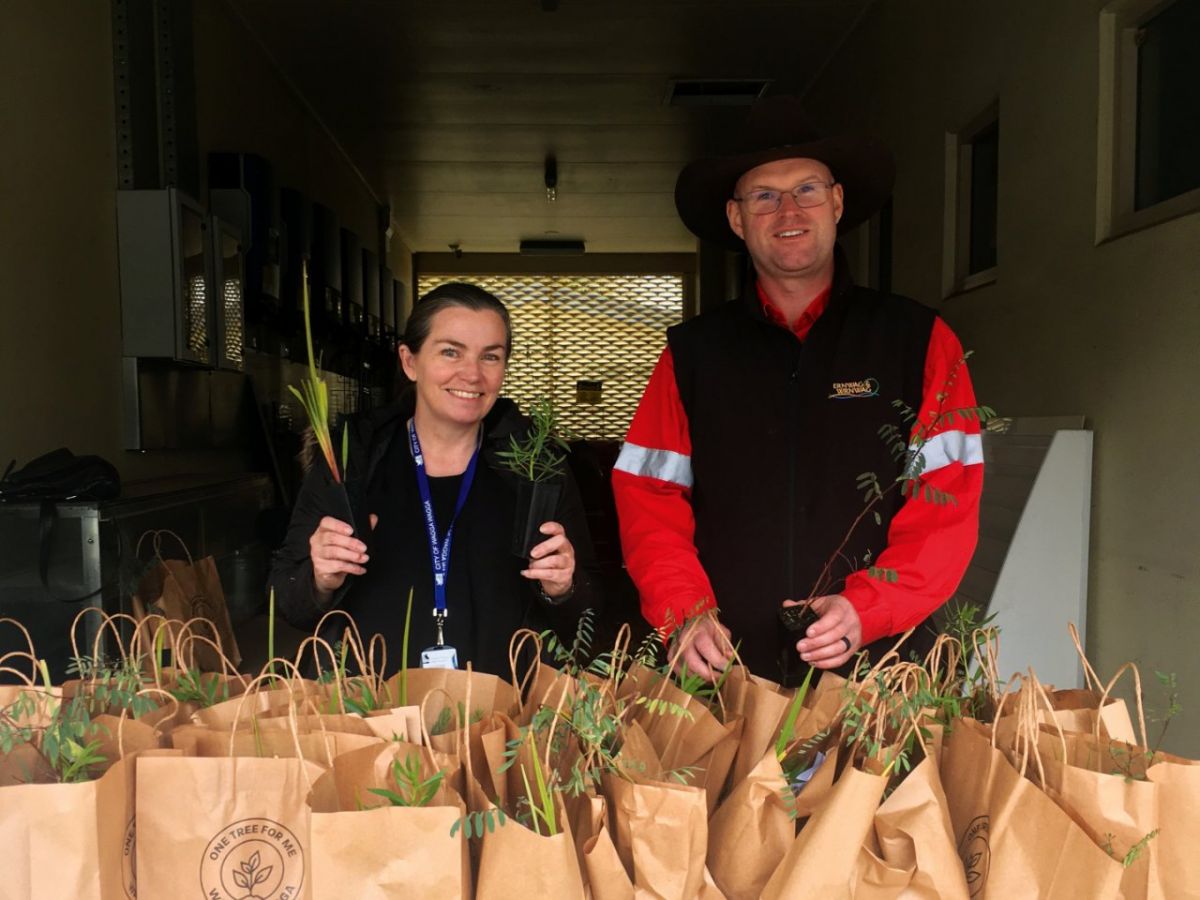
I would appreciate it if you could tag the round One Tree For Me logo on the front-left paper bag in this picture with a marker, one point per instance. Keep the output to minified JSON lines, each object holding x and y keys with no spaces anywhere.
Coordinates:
{"x":253,"y":860}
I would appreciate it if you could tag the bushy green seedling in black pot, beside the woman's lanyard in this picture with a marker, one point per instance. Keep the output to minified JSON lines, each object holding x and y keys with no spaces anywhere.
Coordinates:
{"x":539,"y":461}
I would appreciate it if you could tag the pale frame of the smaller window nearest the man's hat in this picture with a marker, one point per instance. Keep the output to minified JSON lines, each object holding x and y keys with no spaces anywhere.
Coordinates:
{"x":957,"y":218}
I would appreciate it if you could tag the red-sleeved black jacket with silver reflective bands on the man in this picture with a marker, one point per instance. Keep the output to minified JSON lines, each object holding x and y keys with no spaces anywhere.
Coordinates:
{"x":737,"y":482}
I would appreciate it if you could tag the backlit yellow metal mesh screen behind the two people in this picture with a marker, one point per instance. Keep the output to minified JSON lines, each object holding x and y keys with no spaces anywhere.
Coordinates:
{"x":589,"y":343}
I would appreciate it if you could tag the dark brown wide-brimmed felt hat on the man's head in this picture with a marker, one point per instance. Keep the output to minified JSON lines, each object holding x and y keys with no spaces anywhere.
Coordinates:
{"x":778,"y":129}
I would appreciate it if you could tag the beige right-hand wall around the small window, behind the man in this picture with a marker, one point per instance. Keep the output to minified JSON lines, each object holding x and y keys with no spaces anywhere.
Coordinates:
{"x":1109,"y":332}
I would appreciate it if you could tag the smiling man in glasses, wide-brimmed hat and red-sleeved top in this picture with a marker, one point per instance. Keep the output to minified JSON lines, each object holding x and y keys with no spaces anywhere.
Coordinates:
{"x":737,"y":485}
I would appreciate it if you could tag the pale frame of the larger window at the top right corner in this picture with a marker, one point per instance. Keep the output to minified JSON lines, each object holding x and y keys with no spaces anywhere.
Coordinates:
{"x":1118,"y":134}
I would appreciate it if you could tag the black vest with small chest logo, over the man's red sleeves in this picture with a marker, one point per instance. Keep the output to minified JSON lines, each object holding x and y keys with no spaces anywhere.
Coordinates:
{"x":781,"y":433}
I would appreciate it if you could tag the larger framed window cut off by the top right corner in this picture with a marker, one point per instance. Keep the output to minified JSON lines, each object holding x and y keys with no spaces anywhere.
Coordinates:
{"x":1150,"y":116}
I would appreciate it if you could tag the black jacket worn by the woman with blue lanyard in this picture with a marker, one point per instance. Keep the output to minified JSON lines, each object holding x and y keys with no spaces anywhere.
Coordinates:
{"x":487,"y":597}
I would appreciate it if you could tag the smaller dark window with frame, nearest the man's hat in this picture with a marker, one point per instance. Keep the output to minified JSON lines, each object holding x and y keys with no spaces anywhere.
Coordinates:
{"x":973,"y":189}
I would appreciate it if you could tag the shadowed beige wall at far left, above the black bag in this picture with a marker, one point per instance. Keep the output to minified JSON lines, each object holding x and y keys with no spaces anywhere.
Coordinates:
{"x":59,"y":309}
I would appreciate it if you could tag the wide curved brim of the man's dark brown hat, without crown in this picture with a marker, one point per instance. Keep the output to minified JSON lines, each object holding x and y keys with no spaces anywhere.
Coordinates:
{"x":862,"y":166}
